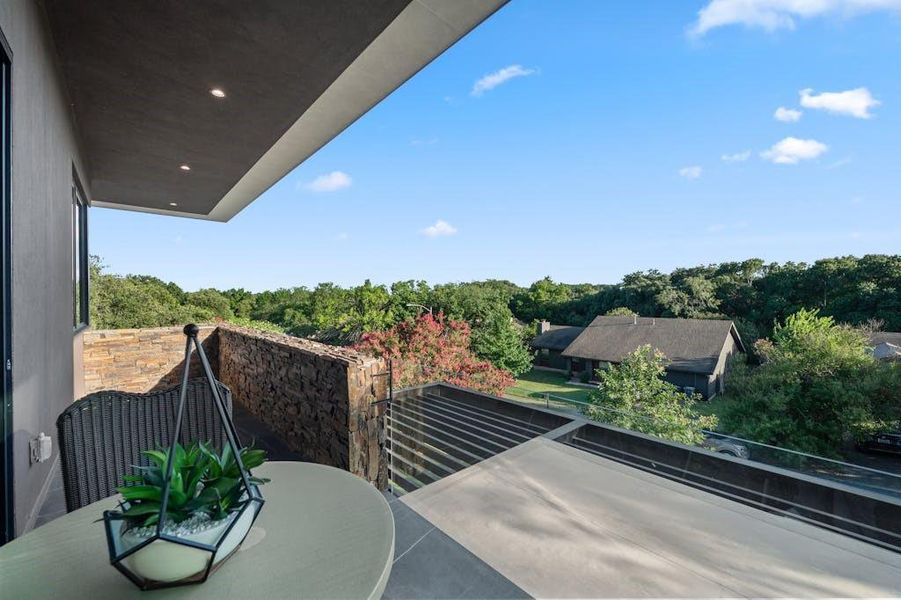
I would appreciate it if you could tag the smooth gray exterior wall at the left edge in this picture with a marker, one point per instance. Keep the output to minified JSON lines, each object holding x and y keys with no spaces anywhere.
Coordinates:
{"x":43,"y":154}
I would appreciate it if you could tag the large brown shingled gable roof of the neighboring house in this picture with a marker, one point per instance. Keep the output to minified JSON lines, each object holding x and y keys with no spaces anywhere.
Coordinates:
{"x":690,"y":345}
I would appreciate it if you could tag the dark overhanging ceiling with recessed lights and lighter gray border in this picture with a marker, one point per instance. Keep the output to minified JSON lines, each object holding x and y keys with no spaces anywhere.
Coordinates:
{"x":295,"y":74}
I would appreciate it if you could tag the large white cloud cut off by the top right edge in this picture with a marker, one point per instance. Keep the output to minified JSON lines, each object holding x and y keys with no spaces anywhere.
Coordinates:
{"x":771,"y":15}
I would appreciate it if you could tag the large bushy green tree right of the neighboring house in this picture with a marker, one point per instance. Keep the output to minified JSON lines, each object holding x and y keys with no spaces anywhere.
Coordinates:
{"x":818,"y":389}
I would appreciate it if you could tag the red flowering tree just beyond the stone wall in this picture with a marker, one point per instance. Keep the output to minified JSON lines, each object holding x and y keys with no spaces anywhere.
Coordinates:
{"x":434,"y":349}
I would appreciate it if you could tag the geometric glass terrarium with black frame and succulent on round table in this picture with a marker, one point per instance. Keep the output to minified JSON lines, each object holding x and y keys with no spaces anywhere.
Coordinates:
{"x":190,"y":509}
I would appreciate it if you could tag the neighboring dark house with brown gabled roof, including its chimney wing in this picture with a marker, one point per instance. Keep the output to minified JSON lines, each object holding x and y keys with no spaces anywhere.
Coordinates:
{"x":697,"y":350}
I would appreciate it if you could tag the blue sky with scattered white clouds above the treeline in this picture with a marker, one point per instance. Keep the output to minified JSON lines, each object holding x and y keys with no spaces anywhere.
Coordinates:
{"x":582,"y":140}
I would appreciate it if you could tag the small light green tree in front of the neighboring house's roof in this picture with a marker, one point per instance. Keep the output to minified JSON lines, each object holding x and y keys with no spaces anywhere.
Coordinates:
{"x":634,"y":395}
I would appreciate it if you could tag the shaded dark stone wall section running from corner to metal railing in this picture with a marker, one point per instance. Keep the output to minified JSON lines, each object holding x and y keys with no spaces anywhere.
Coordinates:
{"x":317,"y":398}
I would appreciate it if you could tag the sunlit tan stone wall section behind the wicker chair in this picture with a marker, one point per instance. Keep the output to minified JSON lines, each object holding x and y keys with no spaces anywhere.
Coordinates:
{"x":141,"y":360}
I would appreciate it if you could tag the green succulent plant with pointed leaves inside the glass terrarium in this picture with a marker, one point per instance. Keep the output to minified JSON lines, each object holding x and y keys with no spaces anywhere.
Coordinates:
{"x":203,"y":482}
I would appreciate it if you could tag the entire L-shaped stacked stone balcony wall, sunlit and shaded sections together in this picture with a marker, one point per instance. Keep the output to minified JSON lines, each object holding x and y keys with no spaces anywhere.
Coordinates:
{"x":317,"y":398}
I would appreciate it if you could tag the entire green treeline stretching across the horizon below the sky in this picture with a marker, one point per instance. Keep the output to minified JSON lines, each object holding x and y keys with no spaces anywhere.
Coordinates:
{"x":753,"y":293}
